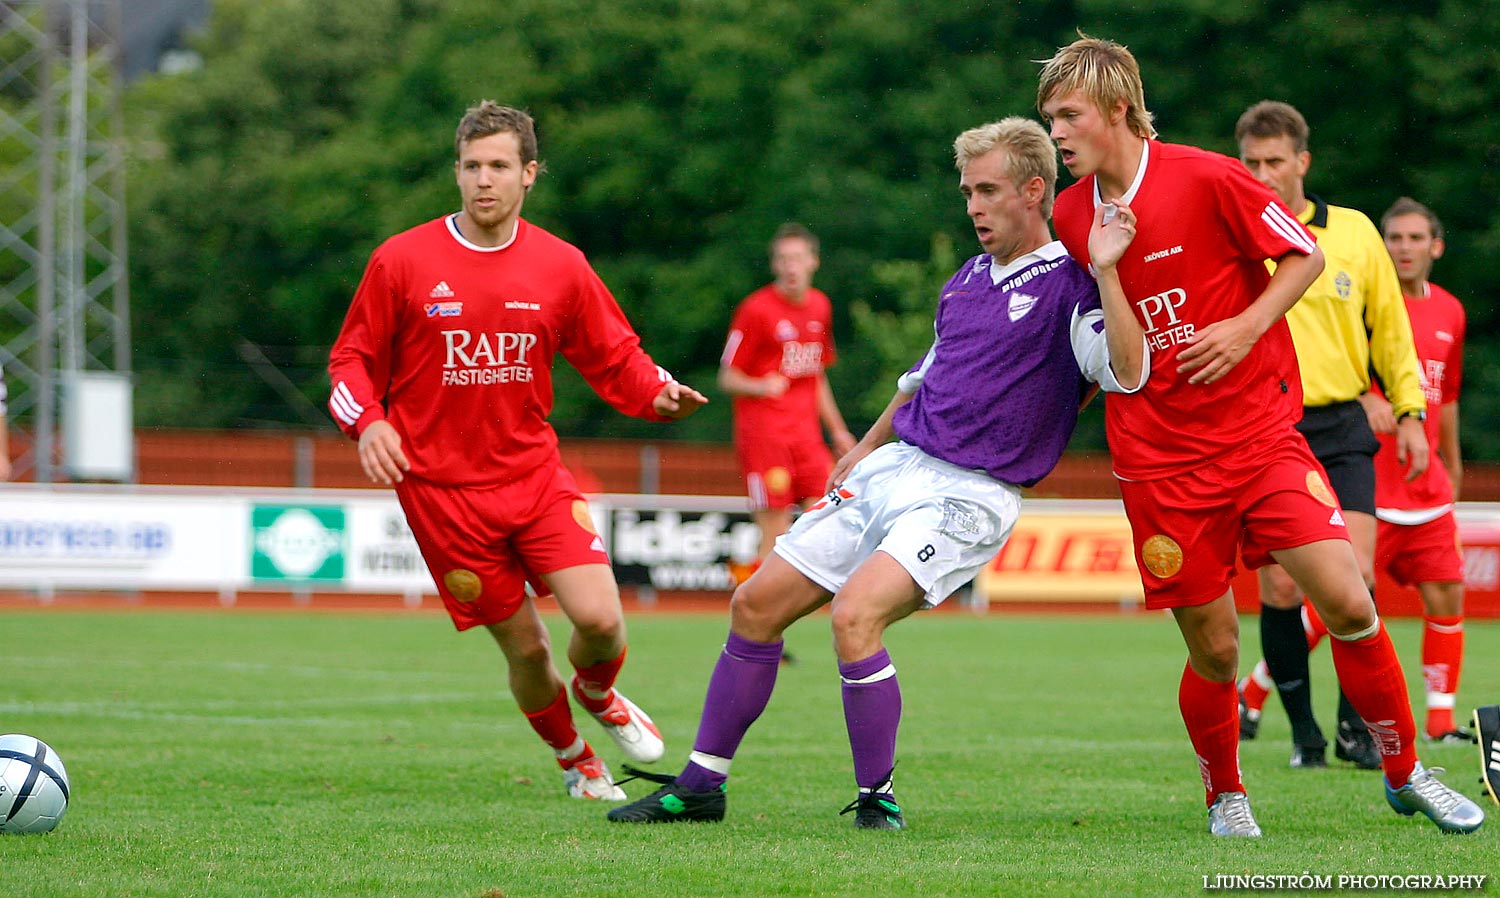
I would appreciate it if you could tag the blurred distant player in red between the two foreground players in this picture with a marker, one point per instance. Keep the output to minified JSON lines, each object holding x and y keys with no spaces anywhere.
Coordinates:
{"x":779,"y":344}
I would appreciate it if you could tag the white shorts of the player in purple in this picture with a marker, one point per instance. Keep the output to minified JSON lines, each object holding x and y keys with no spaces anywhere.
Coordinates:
{"x":938,"y":521}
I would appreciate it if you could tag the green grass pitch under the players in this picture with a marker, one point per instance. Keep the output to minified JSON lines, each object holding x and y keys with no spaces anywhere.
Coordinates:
{"x":316,"y":755}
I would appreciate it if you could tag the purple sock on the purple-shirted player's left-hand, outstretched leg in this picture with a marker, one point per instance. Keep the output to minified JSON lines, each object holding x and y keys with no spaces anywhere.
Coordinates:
{"x":737,"y":695}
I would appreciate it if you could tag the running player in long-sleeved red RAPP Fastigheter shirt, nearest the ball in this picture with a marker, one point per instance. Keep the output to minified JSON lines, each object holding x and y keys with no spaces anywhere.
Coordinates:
{"x":443,"y":373}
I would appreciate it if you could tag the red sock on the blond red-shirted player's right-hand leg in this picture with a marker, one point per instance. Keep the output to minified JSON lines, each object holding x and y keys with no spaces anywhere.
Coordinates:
{"x":1372,"y":677}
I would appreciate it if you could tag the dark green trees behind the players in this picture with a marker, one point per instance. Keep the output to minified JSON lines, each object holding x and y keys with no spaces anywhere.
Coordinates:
{"x":679,"y":134}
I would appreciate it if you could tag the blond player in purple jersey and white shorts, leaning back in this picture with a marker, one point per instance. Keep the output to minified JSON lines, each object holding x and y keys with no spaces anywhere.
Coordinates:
{"x":1021,"y":332}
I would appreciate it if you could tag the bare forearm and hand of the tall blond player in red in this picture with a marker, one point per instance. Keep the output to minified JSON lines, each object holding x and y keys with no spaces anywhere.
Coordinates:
{"x":1217,"y":349}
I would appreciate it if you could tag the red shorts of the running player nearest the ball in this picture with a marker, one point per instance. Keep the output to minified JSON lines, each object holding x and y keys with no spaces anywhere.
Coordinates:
{"x":484,"y":545}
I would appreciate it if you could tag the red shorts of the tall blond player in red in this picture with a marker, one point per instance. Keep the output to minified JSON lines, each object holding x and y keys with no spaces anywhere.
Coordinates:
{"x":1189,"y":528}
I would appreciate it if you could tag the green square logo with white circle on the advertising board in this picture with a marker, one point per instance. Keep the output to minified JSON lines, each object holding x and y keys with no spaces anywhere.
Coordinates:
{"x":298,"y":543}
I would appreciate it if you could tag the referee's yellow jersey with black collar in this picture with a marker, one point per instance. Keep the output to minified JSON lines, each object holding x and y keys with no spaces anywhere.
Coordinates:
{"x":1354,"y":317}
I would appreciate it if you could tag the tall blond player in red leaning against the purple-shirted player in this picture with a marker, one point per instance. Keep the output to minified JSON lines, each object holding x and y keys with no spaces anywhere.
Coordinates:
{"x":1207,"y":453}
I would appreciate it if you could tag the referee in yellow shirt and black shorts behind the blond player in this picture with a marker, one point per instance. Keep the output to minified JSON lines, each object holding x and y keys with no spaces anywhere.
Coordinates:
{"x":1351,"y":323}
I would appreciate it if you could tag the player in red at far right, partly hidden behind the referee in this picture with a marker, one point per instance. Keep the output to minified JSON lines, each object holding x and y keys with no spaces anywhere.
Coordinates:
{"x":1418,"y":536}
